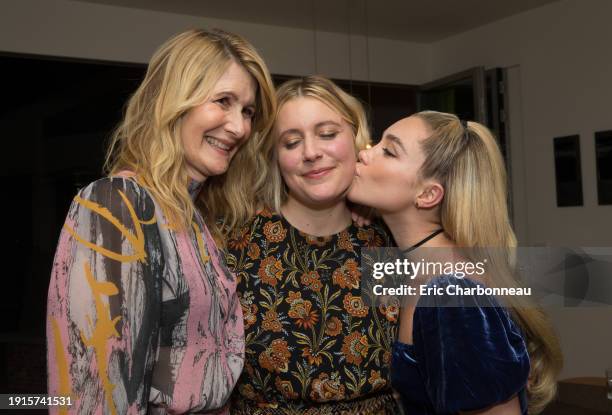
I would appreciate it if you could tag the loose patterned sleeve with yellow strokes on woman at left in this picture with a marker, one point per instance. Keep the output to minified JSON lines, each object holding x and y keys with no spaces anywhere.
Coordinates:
{"x":104,"y":301}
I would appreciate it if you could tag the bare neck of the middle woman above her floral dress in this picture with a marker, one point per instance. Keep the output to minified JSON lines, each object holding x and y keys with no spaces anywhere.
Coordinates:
{"x":315,"y":220}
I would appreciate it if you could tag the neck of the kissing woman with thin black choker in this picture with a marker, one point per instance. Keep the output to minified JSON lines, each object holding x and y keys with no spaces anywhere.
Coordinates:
{"x":410,"y":227}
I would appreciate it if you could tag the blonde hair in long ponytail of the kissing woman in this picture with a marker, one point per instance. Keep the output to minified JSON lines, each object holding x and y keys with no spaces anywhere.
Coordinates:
{"x":474,"y":214}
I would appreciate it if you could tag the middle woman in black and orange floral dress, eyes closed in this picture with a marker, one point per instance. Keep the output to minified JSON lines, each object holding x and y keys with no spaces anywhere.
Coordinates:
{"x":312,"y":344}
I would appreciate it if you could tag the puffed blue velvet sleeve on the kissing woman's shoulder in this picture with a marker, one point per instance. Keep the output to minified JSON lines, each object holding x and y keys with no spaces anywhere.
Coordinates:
{"x":472,"y":340}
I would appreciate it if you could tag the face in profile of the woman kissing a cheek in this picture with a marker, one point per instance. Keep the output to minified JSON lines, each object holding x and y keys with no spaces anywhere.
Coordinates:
{"x":386,"y":176}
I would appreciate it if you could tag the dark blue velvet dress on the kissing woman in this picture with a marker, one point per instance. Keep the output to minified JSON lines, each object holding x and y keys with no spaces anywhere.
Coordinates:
{"x":467,"y":356}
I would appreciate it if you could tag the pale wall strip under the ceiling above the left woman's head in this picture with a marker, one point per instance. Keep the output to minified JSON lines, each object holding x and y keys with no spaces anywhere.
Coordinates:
{"x":87,"y":30}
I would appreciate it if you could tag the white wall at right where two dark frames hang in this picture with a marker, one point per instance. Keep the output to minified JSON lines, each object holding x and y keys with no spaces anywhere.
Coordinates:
{"x":560,"y":72}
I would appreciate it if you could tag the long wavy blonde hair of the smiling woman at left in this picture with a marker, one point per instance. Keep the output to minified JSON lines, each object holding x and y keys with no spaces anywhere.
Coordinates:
{"x":180,"y":76}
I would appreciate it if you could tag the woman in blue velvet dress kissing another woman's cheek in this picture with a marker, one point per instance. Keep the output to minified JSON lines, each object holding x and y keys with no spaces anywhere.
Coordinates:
{"x":440,"y":183}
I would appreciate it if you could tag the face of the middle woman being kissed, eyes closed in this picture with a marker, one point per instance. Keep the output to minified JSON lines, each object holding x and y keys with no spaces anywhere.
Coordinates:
{"x":316,"y":152}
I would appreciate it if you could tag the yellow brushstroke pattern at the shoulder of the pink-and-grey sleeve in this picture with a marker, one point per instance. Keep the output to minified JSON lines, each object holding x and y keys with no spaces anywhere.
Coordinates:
{"x":137,"y":241}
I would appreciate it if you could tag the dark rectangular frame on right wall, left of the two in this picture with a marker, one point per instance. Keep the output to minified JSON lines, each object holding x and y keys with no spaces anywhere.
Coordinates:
{"x":568,"y":172}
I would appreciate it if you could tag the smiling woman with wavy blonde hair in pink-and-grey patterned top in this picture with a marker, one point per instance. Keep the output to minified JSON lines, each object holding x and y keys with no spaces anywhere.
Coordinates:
{"x":142,"y":312}
